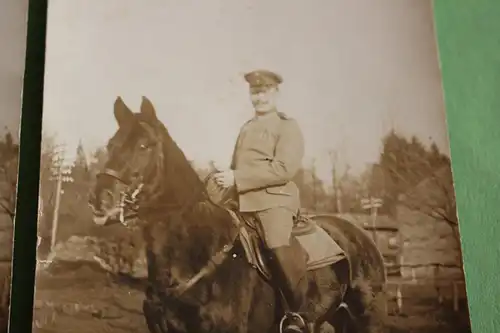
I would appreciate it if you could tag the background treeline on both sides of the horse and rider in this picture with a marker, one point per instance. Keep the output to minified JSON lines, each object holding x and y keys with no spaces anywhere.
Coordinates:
{"x":403,"y":164}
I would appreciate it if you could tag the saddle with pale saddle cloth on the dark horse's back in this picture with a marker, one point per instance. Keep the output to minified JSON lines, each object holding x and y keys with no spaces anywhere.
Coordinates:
{"x":319,"y":248}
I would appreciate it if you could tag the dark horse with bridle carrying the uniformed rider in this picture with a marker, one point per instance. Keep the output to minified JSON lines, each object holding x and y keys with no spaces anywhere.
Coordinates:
{"x":199,"y":279}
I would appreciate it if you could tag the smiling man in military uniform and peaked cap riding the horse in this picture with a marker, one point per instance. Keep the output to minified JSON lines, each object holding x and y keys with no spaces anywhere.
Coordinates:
{"x":267,"y":155}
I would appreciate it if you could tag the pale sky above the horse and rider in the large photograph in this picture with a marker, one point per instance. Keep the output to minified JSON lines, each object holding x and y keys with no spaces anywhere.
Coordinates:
{"x":352,"y":70}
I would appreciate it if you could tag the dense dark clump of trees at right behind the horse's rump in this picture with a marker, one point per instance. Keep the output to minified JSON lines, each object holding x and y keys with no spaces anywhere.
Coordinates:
{"x":408,"y":173}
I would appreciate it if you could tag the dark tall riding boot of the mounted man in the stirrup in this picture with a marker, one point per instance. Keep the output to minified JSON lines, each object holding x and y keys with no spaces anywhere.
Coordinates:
{"x":289,"y":269}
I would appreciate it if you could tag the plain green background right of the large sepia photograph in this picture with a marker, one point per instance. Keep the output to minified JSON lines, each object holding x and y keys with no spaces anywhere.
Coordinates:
{"x":468,"y":34}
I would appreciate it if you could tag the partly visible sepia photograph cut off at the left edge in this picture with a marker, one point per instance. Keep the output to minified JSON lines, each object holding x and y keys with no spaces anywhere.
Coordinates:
{"x":13,"y":14}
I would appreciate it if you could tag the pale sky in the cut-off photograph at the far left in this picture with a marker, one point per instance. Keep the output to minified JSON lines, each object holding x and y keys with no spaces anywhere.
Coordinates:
{"x":13,"y":18}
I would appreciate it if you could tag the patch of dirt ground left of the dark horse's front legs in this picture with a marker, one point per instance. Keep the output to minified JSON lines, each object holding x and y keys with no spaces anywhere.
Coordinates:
{"x":84,"y":299}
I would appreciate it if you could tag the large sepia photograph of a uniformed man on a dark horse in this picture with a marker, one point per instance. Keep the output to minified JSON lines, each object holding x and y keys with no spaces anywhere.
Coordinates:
{"x":247,"y":166}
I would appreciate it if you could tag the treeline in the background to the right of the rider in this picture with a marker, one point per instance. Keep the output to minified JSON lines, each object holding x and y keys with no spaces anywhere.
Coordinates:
{"x":403,"y":165}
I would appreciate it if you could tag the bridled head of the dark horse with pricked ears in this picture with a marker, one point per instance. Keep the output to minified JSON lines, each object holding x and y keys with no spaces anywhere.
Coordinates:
{"x":135,"y":161}
